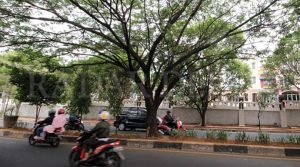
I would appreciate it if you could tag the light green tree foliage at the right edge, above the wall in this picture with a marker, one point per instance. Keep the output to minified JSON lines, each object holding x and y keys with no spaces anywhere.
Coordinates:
{"x":284,"y":64}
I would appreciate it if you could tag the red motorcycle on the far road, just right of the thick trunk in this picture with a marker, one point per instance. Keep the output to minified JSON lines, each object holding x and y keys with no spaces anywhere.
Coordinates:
{"x":163,"y":129}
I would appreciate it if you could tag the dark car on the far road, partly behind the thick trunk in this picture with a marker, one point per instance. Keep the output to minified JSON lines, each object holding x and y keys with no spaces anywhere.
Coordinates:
{"x":132,"y":118}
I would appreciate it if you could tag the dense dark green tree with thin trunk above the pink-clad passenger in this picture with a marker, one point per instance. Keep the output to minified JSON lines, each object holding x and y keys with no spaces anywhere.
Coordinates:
{"x":36,"y":88}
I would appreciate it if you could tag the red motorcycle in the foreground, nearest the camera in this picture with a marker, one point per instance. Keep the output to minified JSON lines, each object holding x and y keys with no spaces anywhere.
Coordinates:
{"x":108,"y":154}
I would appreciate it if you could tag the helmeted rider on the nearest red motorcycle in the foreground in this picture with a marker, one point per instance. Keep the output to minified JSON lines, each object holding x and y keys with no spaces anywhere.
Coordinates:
{"x":99,"y":134}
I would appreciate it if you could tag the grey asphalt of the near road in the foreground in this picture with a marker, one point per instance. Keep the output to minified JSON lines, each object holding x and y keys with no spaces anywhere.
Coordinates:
{"x":18,"y":153}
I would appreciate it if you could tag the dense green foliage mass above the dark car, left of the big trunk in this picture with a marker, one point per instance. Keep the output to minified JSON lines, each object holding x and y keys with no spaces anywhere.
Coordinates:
{"x":99,"y":83}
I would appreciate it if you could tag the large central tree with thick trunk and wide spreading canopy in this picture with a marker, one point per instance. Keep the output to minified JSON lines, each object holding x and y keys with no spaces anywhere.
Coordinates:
{"x":154,"y":36}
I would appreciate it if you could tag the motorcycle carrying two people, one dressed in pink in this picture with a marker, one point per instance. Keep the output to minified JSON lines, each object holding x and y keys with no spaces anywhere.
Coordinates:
{"x":51,"y":138}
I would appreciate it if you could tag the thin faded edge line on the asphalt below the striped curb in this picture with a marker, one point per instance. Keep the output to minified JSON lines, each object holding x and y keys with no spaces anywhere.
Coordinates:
{"x":218,"y":154}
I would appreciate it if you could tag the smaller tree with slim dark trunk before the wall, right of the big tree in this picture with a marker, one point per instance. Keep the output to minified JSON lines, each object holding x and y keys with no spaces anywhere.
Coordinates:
{"x":212,"y":82}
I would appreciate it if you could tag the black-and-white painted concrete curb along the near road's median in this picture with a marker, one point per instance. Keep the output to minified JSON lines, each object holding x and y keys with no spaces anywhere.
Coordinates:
{"x":186,"y":146}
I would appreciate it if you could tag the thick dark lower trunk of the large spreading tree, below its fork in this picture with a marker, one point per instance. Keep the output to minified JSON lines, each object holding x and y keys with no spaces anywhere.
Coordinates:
{"x":151,"y":119}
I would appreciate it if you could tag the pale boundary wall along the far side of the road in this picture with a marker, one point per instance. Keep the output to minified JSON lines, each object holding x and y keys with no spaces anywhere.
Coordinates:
{"x":219,"y":113}
